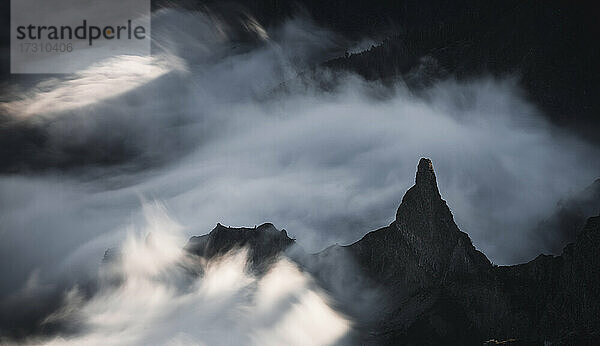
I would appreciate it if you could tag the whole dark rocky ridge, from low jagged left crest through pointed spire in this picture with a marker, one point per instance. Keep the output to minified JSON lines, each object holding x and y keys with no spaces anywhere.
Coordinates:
{"x":432,"y":286}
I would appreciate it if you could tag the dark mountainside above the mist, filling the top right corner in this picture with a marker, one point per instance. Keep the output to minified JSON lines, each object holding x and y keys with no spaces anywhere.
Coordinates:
{"x":552,"y":45}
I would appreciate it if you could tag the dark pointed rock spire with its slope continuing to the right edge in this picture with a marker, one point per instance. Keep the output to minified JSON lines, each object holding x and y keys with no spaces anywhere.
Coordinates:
{"x":441,"y":286}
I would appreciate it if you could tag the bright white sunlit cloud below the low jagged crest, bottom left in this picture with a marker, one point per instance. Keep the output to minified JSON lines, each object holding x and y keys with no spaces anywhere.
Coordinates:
{"x":158,"y":301}
